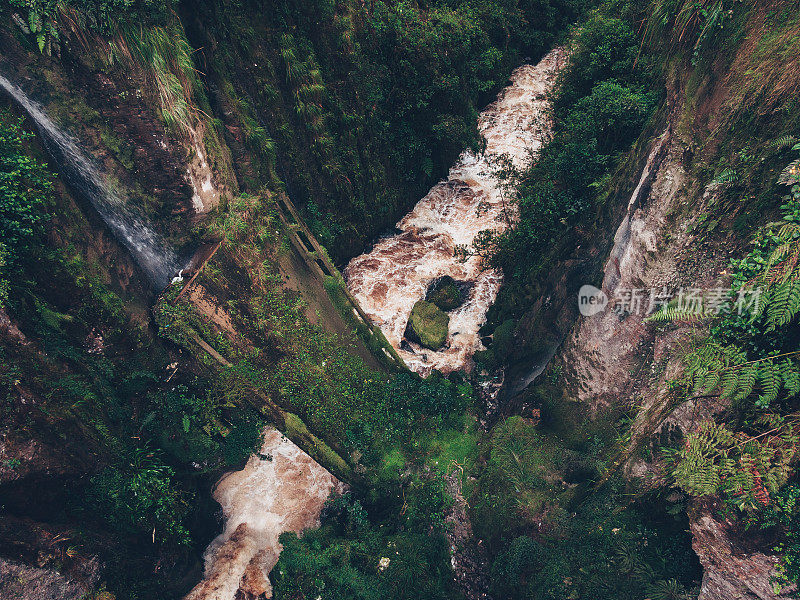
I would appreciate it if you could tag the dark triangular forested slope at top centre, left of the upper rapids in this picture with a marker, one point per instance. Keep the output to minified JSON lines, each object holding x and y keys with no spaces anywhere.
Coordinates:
{"x":369,"y":103}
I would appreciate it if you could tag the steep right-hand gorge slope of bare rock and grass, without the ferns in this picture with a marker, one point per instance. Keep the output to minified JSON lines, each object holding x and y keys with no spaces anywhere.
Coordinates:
{"x":675,"y":219}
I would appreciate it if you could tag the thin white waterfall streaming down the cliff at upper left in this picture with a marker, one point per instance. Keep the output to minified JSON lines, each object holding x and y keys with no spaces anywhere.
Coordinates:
{"x":150,"y":250}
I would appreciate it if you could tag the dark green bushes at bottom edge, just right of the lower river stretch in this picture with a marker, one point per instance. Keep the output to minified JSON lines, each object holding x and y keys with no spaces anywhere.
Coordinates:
{"x":354,"y":558}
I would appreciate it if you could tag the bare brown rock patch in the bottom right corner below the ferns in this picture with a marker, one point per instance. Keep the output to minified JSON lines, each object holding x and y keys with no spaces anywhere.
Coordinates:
{"x":730,"y":571}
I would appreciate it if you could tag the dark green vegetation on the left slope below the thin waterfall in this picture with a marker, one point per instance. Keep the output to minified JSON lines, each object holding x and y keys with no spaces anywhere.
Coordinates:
{"x":143,"y":436}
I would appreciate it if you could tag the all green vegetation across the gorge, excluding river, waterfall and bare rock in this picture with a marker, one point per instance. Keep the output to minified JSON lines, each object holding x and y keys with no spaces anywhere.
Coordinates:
{"x":355,"y":108}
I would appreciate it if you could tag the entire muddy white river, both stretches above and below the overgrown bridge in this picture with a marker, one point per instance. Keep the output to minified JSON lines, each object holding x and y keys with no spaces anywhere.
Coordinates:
{"x":287,"y":492}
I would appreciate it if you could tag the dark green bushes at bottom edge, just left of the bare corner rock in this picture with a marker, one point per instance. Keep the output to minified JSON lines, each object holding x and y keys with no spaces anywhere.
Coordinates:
{"x":599,"y":552}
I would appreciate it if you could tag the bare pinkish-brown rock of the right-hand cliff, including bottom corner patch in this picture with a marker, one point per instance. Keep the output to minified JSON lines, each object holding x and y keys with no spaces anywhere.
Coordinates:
{"x":662,"y":246}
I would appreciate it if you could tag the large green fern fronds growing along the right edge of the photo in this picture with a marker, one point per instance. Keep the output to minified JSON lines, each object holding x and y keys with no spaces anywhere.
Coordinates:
{"x":750,"y":357}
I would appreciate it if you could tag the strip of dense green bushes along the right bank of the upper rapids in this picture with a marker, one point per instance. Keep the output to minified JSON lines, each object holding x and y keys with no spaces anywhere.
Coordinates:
{"x":601,"y":102}
